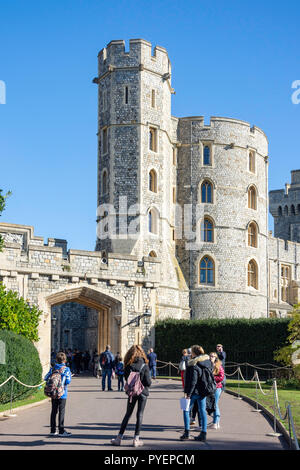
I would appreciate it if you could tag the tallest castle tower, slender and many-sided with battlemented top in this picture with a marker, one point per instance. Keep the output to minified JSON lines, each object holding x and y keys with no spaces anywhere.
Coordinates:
{"x":135,"y":150}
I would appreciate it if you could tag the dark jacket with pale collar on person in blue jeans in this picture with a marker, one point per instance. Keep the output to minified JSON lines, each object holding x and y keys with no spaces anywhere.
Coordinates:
{"x":193,"y":376}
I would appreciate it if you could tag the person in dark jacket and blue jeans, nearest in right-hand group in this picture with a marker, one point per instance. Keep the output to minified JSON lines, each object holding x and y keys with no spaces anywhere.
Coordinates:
{"x":195,"y":389}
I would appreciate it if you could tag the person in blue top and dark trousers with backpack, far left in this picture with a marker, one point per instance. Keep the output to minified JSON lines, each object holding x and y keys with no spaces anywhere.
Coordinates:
{"x":58,"y":405}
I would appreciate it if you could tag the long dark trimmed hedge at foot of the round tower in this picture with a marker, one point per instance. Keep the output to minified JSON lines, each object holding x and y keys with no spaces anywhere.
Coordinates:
{"x":244,"y":340}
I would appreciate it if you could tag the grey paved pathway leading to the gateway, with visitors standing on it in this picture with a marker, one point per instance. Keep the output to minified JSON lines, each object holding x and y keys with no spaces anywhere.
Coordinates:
{"x":93,"y":417}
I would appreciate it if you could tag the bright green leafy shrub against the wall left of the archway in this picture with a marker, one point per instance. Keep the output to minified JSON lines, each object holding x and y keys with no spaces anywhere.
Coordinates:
{"x":17,"y":315}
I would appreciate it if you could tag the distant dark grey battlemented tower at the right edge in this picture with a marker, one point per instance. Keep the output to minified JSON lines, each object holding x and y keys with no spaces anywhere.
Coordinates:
{"x":285,"y":208}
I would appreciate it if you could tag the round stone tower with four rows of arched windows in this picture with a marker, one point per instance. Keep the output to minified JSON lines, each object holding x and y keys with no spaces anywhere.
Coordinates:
{"x":223,"y":176}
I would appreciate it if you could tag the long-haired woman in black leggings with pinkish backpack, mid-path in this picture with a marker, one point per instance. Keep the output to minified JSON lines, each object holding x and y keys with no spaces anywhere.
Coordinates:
{"x":138,"y":381}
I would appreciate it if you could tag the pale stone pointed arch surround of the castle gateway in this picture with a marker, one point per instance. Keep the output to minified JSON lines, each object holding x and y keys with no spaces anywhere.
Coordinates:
{"x":110,"y":312}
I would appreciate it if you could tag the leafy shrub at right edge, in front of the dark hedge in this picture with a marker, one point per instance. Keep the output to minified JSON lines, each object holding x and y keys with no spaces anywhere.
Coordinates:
{"x":290,"y":354}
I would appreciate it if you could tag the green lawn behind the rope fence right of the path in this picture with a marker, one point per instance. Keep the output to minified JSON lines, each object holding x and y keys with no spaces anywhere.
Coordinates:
{"x":284,"y":395}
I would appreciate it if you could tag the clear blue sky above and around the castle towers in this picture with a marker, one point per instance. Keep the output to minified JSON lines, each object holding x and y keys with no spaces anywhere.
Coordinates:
{"x":229,"y":58}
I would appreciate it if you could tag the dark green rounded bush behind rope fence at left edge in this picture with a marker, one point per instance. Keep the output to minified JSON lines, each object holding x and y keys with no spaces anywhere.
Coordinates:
{"x":21,"y":359}
